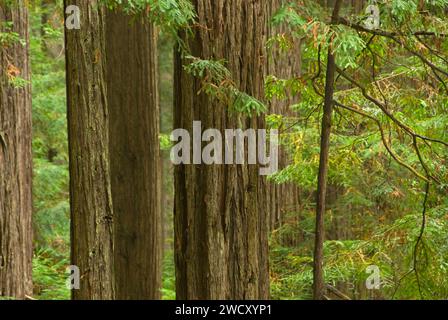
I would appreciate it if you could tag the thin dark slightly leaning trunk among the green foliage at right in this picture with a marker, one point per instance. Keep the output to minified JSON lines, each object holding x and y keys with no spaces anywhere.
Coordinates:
{"x":319,"y":282}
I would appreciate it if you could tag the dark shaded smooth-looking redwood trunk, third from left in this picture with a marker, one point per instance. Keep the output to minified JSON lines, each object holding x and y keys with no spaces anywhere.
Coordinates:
{"x":133,"y":98}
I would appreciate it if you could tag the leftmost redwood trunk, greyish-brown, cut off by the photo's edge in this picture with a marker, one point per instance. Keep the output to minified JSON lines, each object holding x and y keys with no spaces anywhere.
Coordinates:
{"x":15,"y":159}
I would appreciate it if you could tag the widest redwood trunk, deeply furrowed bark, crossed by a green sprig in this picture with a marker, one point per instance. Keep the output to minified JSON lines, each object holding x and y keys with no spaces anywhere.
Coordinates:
{"x":221,"y":227}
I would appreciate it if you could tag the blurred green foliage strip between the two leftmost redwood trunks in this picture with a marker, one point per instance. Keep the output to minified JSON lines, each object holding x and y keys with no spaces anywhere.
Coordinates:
{"x":50,"y":152}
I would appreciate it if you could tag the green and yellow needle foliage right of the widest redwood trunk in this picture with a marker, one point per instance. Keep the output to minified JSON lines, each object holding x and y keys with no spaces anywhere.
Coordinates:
{"x":388,"y":175}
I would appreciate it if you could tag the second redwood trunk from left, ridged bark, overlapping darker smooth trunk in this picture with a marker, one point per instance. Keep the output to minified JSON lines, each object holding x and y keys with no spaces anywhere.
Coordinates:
{"x":88,"y":122}
